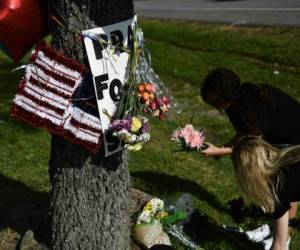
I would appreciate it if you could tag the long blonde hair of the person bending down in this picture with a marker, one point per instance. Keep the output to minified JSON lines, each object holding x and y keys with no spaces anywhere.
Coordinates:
{"x":257,"y":166}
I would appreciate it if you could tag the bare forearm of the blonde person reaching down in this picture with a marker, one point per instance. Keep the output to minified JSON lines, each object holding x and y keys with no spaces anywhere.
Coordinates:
{"x":280,"y":236}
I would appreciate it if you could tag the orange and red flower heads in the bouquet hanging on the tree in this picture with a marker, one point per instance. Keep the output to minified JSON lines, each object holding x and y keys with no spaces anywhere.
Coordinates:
{"x":158,"y":105}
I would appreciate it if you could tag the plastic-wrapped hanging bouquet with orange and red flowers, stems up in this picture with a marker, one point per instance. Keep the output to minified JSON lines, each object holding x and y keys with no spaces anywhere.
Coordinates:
{"x":143,"y":91}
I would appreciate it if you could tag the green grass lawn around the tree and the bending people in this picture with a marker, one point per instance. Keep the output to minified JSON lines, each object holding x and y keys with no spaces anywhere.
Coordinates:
{"x":182,"y":54}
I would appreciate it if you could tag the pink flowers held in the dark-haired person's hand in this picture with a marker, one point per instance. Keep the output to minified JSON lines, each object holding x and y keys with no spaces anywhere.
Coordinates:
{"x":189,"y":138}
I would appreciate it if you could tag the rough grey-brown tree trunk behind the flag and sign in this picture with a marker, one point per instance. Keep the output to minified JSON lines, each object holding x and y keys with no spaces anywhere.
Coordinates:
{"x":89,"y":194}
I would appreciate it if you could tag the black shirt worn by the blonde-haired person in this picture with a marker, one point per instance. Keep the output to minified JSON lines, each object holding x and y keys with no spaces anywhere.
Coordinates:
{"x":289,"y":190}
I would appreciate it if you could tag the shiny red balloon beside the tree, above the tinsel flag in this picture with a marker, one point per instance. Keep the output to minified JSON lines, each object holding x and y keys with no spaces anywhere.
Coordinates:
{"x":22,"y":23}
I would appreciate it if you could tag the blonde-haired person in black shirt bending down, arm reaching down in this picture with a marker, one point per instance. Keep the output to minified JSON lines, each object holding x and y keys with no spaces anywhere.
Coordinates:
{"x":269,"y":176}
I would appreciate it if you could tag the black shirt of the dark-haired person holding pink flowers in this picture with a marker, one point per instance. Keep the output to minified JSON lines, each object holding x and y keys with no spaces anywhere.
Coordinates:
{"x":278,"y":119}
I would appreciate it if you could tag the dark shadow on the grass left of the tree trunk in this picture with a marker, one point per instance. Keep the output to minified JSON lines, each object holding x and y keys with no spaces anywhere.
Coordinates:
{"x":22,"y":208}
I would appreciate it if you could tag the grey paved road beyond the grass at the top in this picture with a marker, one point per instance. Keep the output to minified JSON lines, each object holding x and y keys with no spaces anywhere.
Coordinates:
{"x":243,"y":12}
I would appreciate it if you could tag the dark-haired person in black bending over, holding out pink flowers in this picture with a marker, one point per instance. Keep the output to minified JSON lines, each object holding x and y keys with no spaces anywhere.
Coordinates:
{"x":253,"y":109}
